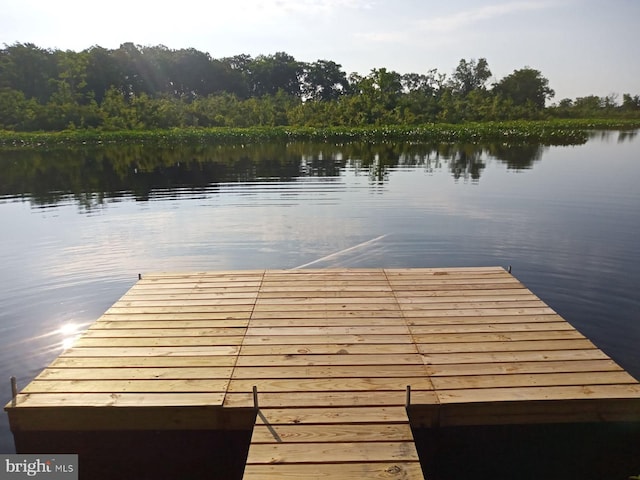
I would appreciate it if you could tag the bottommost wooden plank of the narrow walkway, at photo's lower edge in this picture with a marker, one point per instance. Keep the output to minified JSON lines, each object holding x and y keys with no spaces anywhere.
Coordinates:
{"x":380,"y":470}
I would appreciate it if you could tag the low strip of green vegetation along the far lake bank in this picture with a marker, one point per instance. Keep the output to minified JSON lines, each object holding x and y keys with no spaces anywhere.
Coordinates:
{"x":548,"y":132}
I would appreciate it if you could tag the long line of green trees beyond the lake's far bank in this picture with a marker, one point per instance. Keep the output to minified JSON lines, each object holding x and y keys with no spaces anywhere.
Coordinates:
{"x":150,"y":87}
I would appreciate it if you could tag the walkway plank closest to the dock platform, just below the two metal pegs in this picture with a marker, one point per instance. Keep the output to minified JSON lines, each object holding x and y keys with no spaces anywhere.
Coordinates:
{"x":333,"y":415}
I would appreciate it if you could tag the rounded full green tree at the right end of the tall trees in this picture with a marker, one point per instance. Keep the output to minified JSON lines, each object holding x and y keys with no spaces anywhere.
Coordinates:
{"x":525,"y":86}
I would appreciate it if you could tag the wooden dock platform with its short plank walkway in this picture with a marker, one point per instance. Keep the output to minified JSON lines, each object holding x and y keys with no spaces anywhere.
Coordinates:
{"x":331,"y":353}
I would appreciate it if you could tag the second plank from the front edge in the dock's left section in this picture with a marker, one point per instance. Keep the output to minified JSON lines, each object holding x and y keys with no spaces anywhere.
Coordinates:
{"x":126,"y":386}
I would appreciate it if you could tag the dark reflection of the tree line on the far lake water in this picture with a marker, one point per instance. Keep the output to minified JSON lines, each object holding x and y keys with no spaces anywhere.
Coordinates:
{"x":91,"y":176}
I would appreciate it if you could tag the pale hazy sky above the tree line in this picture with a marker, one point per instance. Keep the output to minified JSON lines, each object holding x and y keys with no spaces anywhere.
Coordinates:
{"x":583,"y":47}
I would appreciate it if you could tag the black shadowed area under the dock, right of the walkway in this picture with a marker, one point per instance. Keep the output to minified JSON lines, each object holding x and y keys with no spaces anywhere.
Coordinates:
{"x":585,"y":451}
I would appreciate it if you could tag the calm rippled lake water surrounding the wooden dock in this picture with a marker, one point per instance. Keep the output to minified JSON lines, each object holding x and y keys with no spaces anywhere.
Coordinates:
{"x":78,"y":225}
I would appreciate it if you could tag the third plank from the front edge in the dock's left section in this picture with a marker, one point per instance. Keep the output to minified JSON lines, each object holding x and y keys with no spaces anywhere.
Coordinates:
{"x":133,"y":373}
